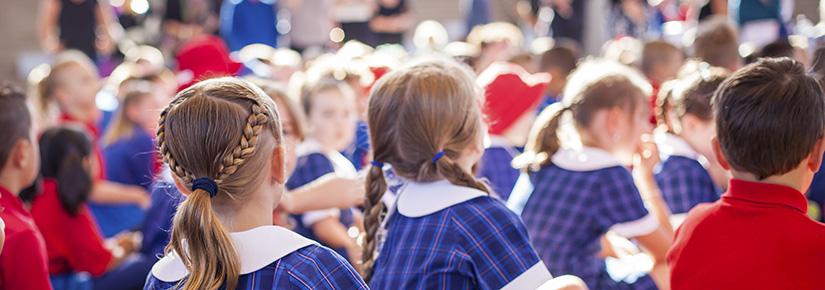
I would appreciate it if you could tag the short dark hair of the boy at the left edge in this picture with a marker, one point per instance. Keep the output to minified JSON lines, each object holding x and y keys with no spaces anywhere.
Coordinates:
{"x":15,"y":120}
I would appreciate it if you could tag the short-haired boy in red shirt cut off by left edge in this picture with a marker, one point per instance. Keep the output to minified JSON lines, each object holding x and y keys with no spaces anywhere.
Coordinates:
{"x":23,"y":263}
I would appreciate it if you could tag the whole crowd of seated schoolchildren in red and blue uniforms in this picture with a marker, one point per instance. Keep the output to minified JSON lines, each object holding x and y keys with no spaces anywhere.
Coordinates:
{"x":468,"y":165}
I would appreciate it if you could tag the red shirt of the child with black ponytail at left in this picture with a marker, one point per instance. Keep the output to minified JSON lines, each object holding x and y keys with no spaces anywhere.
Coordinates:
{"x":73,"y":243}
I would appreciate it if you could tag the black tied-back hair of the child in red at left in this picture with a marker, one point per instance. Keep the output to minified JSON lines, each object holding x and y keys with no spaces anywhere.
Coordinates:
{"x":62,"y":150}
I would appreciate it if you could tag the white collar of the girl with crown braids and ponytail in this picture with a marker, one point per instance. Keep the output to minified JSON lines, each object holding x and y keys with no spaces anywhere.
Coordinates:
{"x":256,"y":248}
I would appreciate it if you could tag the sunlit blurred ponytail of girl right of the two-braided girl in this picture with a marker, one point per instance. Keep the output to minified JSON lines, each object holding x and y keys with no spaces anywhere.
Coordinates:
{"x":544,"y":139}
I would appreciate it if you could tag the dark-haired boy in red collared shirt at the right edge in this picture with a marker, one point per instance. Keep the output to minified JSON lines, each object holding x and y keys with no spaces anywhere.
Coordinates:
{"x":770,"y":120}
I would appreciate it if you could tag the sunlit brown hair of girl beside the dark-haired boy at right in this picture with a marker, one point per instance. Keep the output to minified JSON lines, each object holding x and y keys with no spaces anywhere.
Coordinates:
{"x":690,"y":96}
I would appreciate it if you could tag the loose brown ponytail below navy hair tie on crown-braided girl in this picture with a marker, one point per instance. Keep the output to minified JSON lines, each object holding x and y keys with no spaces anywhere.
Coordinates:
{"x":204,"y":245}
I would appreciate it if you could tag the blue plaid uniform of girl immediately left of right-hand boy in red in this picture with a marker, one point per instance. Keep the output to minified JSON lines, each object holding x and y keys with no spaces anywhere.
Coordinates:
{"x":684,"y":183}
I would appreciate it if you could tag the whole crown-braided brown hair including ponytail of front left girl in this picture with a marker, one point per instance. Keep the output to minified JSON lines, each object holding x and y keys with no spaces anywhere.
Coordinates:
{"x":235,"y":126}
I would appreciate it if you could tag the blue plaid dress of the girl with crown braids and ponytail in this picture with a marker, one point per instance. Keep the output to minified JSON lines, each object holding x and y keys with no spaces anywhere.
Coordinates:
{"x":312,"y":267}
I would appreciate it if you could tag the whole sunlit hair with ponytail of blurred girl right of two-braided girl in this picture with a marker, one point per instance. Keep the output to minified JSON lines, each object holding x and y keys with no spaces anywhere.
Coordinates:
{"x":596,"y":85}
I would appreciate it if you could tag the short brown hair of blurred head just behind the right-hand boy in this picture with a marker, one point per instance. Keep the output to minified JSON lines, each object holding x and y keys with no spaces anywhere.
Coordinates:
{"x":717,"y":43}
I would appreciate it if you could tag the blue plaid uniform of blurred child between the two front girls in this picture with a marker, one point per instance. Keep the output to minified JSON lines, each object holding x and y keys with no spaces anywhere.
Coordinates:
{"x":308,"y":169}
